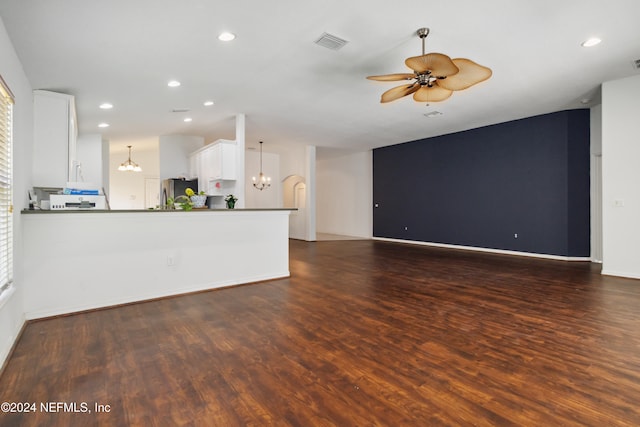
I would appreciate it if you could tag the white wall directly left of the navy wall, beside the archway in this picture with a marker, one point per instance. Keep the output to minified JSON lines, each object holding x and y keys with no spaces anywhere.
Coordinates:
{"x":344,"y":193}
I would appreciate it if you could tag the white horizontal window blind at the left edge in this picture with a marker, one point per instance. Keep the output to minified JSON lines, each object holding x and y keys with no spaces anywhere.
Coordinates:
{"x":6,"y":204}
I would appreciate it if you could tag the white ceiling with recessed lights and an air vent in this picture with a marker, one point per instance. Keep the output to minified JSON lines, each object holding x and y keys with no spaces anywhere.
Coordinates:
{"x":294,"y":91}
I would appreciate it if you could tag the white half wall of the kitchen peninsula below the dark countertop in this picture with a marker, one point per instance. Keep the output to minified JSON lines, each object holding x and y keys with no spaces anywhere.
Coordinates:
{"x":87,"y":259}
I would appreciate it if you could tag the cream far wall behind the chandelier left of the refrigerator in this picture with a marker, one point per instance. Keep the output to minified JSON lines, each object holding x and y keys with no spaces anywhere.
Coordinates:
{"x":127,"y":189}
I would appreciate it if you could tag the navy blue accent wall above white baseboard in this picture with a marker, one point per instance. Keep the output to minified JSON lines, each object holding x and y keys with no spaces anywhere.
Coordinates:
{"x":480,"y":187}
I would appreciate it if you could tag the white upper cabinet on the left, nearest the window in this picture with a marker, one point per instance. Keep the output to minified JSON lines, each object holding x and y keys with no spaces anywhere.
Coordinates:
{"x":54,"y":133}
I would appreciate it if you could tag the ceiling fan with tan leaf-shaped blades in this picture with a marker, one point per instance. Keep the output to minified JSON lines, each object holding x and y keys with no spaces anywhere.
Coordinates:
{"x":435,"y":76}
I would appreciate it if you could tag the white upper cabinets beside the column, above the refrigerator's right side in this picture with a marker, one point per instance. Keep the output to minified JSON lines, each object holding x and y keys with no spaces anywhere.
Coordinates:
{"x":214,"y":164}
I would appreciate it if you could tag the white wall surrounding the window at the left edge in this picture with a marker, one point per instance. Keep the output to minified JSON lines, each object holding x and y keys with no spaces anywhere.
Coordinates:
{"x":11,"y":306}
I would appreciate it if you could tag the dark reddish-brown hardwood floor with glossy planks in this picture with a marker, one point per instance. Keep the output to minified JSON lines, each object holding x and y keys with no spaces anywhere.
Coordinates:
{"x":363,"y":333}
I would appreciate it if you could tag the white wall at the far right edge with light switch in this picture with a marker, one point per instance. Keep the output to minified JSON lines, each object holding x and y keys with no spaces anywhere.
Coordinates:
{"x":621,"y":177}
